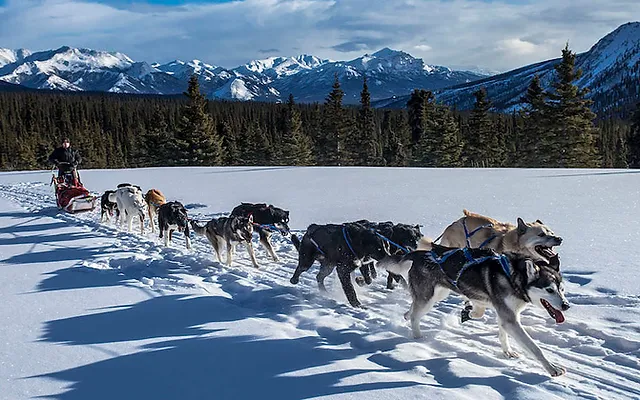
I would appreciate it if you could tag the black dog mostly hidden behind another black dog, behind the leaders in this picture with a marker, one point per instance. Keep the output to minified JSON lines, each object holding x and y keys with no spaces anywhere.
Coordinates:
{"x":402,"y":238}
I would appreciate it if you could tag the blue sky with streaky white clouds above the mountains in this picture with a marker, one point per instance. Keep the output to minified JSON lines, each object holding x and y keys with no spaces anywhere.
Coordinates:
{"x":496,"y":35}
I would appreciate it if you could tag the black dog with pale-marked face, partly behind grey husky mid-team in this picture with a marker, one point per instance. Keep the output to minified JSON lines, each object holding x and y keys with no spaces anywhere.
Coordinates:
{"x":267,"y":219}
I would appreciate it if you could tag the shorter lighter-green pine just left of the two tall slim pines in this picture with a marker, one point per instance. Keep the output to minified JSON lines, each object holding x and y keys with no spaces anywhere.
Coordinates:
{"x":298,"y":146}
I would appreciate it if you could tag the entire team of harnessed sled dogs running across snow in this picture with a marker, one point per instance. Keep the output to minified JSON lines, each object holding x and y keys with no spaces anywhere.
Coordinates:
{"x":491,"y":264}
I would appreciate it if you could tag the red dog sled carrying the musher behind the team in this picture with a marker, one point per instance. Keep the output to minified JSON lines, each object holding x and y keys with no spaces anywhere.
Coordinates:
{"x":71,"y":195}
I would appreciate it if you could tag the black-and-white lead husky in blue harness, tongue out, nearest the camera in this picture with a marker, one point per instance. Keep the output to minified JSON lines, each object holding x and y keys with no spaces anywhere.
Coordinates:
{"x":507,"y":283}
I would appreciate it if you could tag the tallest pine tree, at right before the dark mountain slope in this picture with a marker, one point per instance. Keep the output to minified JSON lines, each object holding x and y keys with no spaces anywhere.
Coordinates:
{"x":571,"y":119}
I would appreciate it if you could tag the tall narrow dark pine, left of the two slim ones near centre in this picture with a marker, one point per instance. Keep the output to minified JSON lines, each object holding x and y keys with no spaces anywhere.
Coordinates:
{"x":336,"y":126}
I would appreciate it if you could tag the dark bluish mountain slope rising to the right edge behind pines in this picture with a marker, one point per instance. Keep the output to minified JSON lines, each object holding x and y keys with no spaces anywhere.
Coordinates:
{"x":611,"y":71}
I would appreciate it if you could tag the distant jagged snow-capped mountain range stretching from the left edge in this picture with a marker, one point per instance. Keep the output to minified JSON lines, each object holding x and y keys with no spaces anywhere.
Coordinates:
{"x":307,"y":77}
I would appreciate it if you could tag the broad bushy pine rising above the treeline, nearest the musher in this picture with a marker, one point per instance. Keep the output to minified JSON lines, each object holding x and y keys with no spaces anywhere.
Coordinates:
{"x":197,"y":139}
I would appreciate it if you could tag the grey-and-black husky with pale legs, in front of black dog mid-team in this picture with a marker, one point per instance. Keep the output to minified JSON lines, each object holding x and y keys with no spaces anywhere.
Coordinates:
{"x":230,"y":230}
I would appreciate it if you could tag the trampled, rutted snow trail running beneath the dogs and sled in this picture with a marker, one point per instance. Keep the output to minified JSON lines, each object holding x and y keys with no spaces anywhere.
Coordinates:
{"x":596,"y":360}
